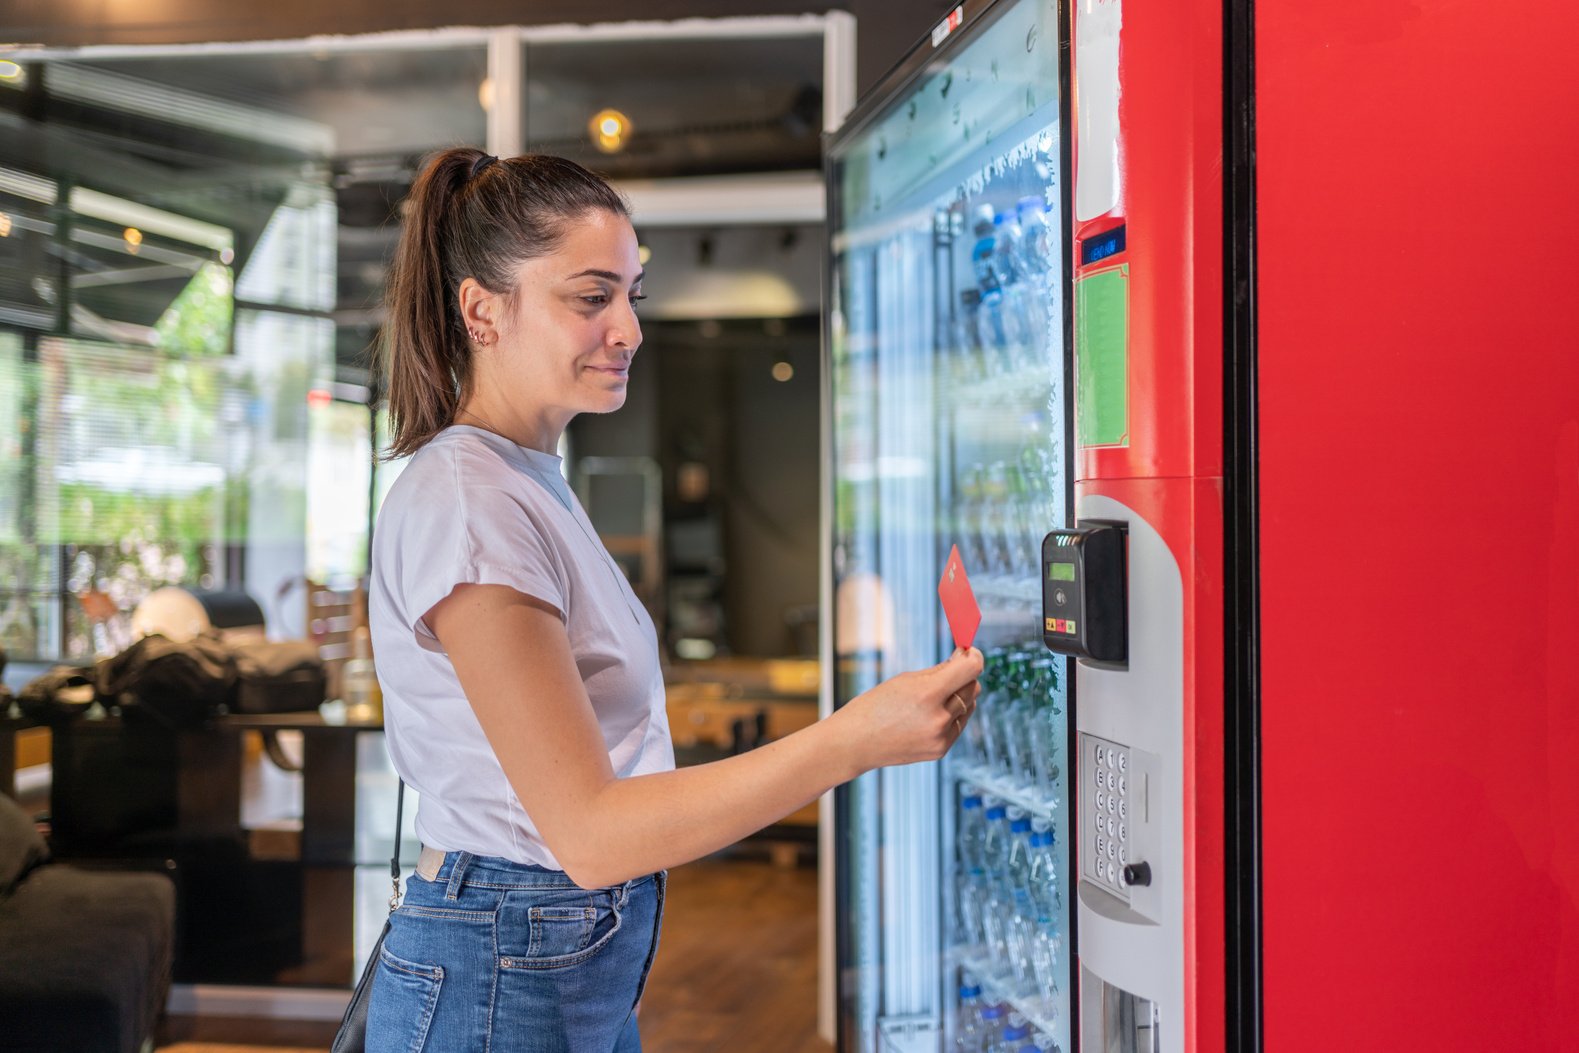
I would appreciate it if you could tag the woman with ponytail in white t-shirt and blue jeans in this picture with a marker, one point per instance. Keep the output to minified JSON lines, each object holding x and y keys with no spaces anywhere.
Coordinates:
{"x":522,"y":684}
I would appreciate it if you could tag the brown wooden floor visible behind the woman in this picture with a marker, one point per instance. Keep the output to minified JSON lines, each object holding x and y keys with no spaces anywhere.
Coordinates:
{"x":737,"y":972}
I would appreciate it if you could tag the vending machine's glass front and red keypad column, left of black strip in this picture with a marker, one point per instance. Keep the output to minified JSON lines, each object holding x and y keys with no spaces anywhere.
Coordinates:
{"x":1027,"y":362}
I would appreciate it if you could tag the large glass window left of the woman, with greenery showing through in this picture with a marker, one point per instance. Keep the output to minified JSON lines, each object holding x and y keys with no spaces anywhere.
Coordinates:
{"x":192,"y":269}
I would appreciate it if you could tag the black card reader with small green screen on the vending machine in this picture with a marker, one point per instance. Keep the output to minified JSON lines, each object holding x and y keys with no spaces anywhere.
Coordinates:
{"x":1086,"y":593}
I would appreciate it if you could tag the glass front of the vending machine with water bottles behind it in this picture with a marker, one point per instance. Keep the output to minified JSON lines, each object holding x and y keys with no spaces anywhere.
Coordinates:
{"x":950,"y":414}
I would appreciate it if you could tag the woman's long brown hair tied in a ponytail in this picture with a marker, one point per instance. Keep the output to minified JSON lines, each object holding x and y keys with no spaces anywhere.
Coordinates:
{"x":467,"y":217}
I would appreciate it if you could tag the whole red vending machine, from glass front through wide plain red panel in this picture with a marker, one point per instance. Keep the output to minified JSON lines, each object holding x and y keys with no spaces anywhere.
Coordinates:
{"x":1267,"y":473}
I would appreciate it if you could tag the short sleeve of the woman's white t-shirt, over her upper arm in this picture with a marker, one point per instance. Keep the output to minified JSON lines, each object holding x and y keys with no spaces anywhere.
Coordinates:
{"x":457,"y":531}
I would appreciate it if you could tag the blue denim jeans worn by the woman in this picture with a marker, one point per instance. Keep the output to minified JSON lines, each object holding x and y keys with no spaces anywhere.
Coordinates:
{"x":501,"y":957}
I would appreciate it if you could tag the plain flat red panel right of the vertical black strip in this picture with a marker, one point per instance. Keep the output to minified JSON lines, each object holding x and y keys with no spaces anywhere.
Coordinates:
{"x":1420,"y":402}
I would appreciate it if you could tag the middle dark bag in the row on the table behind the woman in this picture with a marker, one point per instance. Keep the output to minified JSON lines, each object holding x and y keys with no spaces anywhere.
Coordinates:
{"x":179,"y":686}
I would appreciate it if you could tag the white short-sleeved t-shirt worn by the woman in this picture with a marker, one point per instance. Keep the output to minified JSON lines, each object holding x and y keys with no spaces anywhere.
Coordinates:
{"x":474,"y":508}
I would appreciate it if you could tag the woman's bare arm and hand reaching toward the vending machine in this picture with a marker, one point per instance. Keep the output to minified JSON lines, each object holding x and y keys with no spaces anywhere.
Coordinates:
{"x":514,"y":661}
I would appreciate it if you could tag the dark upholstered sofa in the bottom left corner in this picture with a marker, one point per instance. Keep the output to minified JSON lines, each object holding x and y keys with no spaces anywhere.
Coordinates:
{"x":84,"y":954}
